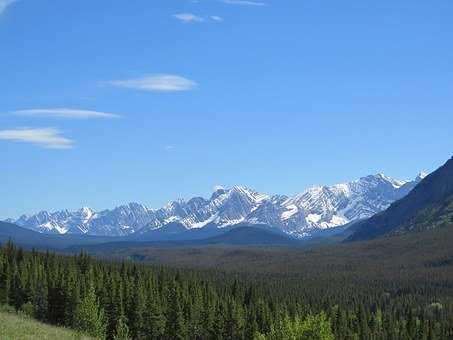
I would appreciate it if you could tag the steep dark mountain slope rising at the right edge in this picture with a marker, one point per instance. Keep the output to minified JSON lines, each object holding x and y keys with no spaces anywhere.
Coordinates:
{"x":429,"y":205}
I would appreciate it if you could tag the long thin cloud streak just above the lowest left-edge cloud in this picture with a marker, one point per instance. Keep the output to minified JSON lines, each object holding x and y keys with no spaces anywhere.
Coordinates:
{"x":65,"y":113}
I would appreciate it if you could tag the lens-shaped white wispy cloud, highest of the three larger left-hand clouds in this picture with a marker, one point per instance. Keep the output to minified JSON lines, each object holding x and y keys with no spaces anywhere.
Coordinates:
{"x":156,"y":83}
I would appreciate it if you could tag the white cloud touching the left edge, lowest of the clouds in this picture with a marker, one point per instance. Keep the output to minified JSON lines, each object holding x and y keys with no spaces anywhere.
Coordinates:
{"x":44,"y":137}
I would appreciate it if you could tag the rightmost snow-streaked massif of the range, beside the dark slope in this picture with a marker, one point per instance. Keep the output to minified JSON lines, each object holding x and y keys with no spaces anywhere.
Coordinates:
{"x":331,"y":206}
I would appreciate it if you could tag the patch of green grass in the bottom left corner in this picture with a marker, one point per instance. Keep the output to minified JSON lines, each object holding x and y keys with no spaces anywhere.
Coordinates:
{"x":19,"y":327}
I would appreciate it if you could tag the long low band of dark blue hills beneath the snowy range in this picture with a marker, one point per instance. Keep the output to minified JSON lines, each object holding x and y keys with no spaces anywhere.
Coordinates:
{"x":174,"y":235}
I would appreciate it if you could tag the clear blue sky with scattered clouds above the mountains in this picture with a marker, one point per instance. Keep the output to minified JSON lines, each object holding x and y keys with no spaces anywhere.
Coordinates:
{"x":106,"y":102}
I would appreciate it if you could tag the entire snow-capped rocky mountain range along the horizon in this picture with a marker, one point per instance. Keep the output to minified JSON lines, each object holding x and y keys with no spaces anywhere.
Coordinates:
{"x":317,"y":208}
